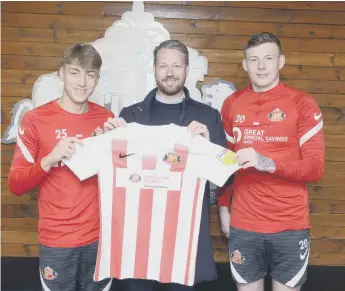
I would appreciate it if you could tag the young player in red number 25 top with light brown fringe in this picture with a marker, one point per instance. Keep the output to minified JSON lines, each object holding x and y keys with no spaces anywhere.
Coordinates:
{"x":68,"y":225}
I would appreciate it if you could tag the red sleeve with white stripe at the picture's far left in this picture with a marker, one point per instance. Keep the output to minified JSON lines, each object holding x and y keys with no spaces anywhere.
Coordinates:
{"x":26,"y":172}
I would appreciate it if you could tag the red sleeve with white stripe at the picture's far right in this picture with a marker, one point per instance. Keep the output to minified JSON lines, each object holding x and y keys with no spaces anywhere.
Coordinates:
{"x":310,"y":167}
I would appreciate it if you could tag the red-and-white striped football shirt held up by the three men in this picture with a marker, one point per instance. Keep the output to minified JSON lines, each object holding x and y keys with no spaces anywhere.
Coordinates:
{"x":152,"y":181}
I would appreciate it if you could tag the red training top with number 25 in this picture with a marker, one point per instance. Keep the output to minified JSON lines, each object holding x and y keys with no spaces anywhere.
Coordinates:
{"x":68,"y":208}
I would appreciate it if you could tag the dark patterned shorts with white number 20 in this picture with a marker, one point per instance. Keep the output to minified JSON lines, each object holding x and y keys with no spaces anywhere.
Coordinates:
{"x":285,"y":253}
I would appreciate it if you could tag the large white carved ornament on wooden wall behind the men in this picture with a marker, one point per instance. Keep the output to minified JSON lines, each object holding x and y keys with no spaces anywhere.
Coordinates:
{"x":127,"y":70}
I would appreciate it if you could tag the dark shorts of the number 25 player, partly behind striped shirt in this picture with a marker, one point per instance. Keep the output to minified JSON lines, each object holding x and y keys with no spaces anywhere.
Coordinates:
{"x":65,"y":268}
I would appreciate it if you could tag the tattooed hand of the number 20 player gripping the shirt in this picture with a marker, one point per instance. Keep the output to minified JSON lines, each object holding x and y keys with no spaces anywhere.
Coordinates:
{"x":248,"y":157}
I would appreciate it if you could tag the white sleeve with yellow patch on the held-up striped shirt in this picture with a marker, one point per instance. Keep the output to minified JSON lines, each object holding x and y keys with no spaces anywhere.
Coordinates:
{"x":211,"y":161}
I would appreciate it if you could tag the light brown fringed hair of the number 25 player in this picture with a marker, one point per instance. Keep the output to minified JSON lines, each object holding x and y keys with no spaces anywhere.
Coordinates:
{"x":85,"y":55}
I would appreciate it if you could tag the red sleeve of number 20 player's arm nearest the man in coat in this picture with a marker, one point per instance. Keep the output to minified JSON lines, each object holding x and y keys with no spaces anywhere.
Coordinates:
{"x":225,"y":192}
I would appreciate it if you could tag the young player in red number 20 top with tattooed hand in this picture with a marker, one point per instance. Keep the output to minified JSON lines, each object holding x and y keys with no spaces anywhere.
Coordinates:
{"x":277,"y":133}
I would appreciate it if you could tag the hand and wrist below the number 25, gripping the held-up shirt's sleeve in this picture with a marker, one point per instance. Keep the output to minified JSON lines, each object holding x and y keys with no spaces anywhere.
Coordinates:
{"x":64,"y":149}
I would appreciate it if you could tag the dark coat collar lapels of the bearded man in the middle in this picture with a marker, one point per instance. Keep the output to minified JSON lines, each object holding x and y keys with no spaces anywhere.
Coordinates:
{"x":143,"y":109}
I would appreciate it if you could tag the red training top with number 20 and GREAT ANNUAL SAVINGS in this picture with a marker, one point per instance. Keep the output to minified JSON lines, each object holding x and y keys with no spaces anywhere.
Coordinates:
{"x":286,"y":125}
